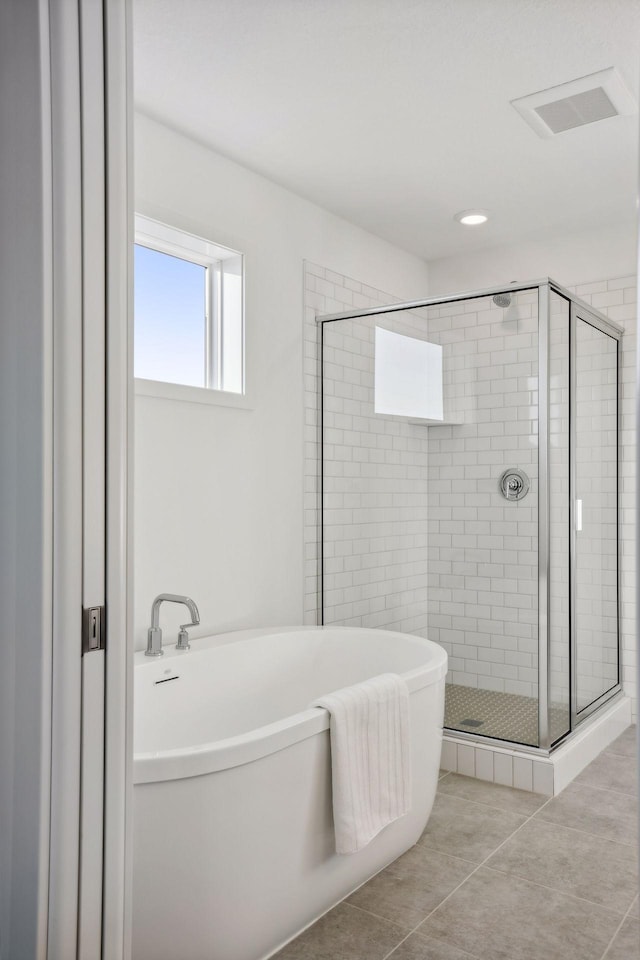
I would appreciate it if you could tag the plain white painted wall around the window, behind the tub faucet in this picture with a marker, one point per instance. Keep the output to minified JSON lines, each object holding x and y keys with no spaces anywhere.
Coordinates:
{"x":219,"y":491}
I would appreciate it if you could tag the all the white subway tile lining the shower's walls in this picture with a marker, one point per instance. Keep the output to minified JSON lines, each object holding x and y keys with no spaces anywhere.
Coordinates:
{"x":419,"y":539}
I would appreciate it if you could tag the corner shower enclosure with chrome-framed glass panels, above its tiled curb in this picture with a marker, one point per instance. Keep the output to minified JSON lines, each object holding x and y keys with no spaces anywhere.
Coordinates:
{"x":469,"y":494}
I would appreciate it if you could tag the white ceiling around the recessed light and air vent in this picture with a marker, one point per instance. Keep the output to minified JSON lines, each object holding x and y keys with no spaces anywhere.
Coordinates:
{"x":395,"y":114}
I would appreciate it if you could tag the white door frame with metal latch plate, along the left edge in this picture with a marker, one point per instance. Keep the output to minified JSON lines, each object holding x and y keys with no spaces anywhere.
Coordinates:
{"x":68,"y":899}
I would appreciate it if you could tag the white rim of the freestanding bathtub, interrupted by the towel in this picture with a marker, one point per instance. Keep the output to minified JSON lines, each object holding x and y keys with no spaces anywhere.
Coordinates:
{"x":219,"y":755}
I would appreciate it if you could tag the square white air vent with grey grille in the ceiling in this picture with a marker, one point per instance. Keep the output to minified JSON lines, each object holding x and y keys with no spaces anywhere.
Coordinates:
{"x":597,"y":96}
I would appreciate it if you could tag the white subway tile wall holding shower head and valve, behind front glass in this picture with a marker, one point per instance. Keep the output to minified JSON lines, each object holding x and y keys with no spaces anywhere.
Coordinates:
{"x":483,"y":549}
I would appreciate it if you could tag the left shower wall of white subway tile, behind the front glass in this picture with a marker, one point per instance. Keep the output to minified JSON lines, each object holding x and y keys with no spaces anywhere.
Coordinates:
{"x":375,"y":489}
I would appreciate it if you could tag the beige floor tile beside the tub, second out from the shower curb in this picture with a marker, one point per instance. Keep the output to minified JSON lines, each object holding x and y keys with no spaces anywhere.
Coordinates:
{"x":470,"y":831}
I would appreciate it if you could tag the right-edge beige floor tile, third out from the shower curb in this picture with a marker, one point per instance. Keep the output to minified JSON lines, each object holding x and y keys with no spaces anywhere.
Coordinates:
{"x":571,"y":862}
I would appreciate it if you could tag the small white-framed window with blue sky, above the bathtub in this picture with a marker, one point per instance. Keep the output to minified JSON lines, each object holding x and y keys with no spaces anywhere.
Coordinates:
{"x":188,"y":309}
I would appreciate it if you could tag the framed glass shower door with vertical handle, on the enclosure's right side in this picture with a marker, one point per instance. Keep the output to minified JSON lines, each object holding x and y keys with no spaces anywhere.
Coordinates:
{"x":595,"y":512}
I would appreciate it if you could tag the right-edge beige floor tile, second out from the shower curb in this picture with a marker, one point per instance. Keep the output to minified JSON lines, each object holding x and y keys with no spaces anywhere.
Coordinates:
{"x":601,"y":812}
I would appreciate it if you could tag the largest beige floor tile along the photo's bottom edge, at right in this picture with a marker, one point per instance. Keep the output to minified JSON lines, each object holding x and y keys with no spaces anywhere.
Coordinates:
{"x":503,"y":918}
